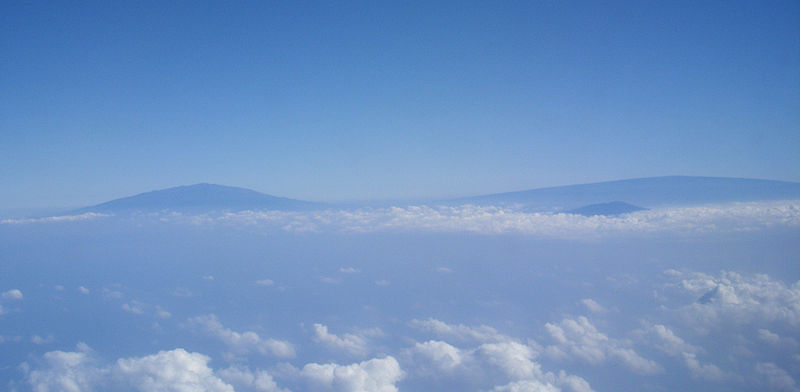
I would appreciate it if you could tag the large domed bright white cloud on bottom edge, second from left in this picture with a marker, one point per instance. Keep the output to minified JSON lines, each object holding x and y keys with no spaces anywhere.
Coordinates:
{"x":168,"y":371}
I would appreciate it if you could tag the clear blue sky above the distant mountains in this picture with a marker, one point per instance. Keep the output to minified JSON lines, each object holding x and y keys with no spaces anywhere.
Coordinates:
{"x":349,"y":100}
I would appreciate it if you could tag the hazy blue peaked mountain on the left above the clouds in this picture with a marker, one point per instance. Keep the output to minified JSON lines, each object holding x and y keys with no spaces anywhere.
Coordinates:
{"x":202,"y":197}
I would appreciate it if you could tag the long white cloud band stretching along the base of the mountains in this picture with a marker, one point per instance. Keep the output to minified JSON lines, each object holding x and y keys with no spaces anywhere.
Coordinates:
{"x":496,"y":220}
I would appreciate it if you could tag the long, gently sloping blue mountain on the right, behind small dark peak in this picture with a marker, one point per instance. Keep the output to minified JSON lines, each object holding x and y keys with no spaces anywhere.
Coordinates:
{"x":649,"y":192}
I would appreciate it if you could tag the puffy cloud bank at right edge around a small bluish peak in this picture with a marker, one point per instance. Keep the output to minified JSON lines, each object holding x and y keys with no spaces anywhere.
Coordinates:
{"x":734,"y":298}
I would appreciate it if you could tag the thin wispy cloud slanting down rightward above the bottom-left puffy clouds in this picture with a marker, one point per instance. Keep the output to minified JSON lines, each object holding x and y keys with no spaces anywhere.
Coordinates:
{"x":244,"y":342}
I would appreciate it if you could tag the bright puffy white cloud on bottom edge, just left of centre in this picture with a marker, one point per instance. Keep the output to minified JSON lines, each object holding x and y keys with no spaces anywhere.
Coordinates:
{"x":375,"y":375}
